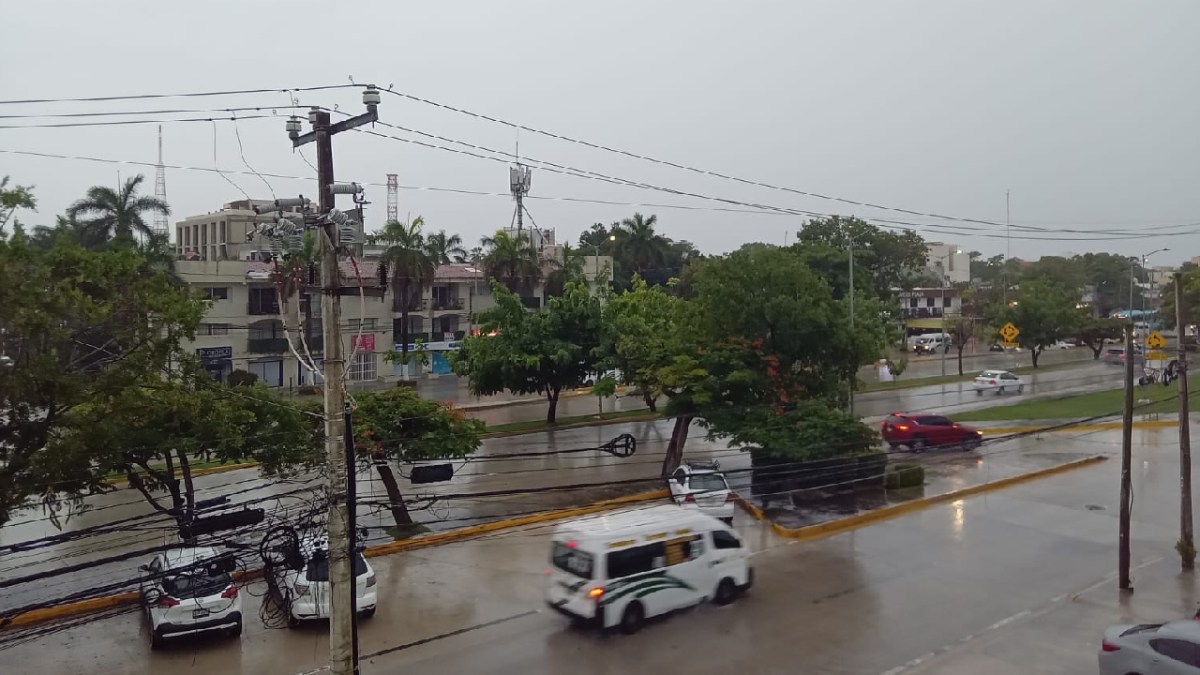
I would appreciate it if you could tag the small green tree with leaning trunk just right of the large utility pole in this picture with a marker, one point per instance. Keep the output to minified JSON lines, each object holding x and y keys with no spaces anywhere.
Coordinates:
{"x":400,"y":426}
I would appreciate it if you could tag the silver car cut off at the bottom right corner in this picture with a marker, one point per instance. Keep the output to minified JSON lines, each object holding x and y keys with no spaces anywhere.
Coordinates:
{"x":1151,"y":649}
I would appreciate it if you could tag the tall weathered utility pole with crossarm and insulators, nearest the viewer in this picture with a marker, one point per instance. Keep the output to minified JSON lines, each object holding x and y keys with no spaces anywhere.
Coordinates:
{"x":343,"y":648}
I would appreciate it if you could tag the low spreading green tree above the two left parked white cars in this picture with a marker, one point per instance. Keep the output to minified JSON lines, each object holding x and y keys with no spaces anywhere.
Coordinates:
{"x":155,"y":432}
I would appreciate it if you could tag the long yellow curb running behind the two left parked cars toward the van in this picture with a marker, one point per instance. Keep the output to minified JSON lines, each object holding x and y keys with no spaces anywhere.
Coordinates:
{"x":56,"y":613}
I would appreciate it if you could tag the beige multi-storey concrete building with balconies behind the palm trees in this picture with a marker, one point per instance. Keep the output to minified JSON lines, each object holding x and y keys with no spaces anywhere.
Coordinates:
{"x":248,"y":330}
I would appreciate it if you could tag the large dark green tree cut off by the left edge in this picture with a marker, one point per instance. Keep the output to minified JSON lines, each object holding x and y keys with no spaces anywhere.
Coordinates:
{"x":80,"y":326}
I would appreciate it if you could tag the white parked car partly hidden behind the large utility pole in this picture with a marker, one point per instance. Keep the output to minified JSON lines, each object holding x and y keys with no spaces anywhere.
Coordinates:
{"x":305,"y":593}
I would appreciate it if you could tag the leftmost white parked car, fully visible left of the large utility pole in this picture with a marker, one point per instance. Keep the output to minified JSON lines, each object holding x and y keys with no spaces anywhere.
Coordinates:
{"x":190,"y":592}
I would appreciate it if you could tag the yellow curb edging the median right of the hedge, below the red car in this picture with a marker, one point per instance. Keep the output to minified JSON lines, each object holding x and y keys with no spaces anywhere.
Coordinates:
{"x":890,"y":512}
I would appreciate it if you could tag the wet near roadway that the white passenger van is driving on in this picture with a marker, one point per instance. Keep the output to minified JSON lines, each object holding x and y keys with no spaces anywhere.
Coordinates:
{"x":869,"y":602}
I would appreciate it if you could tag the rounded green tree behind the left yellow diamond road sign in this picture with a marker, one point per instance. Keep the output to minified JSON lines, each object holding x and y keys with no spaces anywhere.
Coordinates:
{"x":1045,"y":314}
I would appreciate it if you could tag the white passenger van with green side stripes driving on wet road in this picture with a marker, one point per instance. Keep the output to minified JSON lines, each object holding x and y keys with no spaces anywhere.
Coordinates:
{"x":621,"y":569}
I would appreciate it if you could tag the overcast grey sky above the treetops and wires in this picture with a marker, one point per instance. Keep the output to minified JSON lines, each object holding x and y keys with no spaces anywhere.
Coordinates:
{"x":1088,"y":111}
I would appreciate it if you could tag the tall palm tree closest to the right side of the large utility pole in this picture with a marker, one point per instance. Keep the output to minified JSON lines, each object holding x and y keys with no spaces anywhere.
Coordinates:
{"x":411,"y":267}
